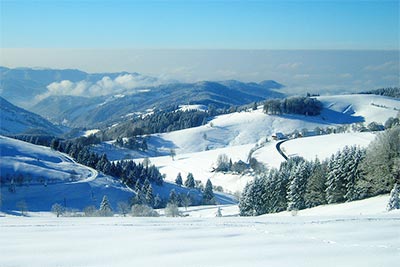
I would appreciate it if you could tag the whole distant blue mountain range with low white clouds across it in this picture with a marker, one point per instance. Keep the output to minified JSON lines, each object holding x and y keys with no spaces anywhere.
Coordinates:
{"x":120,"y":94}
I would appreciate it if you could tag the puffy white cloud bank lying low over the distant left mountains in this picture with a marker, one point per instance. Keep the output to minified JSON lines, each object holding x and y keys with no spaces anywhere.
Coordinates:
{"x":126,"y":83}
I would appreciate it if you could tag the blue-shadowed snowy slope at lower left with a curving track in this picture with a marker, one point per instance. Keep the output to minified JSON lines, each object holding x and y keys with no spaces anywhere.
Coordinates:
{"x":42,"y":177}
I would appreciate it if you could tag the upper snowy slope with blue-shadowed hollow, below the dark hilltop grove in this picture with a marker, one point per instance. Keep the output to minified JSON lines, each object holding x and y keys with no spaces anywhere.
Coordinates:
{"x":250,"y":127}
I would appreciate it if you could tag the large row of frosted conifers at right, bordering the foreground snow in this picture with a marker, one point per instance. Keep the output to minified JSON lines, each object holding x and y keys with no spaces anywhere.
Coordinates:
{"x":350,"y":174}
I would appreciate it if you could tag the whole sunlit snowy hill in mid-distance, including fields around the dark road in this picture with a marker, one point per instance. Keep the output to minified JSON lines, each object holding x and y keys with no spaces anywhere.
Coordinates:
{"x":237,"y":134}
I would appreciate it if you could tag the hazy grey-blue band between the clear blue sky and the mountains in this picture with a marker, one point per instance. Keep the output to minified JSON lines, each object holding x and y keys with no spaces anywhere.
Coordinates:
{"x":329,"y":70}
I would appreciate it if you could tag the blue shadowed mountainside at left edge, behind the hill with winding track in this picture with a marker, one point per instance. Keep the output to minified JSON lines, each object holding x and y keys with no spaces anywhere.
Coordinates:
{"x":15,"y":120}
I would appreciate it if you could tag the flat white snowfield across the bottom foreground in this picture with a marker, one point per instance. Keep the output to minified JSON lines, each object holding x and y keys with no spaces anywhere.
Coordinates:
{"x":272,"y":240}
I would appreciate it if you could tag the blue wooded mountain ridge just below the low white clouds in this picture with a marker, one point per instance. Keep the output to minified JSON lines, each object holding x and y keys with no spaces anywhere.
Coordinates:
{"x":110,"y":109}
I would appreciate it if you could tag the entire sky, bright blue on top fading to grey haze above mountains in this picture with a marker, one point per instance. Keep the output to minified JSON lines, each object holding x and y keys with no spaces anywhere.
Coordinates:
{"x":333,"y":44}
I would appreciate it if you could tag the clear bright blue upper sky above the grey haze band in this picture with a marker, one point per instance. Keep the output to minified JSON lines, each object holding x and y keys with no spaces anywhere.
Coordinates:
{"x":201,"y":24}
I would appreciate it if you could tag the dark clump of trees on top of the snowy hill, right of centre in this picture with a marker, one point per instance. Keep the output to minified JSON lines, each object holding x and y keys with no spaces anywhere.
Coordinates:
{"x":293,"y":105}
